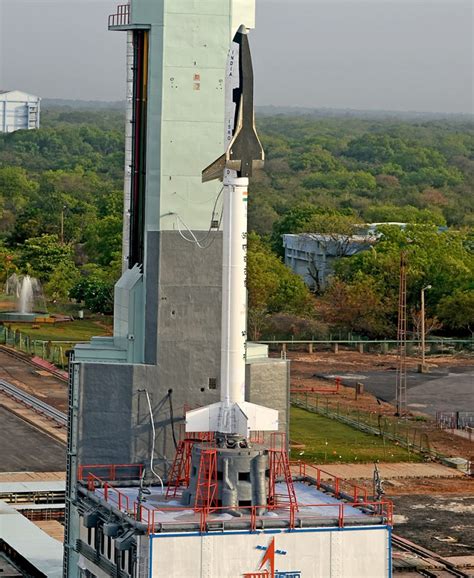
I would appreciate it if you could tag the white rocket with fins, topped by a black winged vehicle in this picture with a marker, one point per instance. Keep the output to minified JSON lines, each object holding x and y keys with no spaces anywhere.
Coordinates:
{"x":244,"y":153}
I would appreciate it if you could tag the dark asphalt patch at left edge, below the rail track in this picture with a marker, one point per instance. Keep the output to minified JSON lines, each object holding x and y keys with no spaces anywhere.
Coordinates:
{"x":25,"y":448}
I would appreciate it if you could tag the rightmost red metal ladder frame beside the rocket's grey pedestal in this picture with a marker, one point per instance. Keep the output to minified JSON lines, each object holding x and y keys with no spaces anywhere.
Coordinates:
{"x":280,"y":468}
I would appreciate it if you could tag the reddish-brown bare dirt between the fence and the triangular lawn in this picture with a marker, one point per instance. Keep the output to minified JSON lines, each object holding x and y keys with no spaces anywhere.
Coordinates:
{"x":305,"y":368}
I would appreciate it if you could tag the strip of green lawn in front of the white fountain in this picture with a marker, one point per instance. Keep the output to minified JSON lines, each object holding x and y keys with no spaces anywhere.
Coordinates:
{"x":70,"y":331}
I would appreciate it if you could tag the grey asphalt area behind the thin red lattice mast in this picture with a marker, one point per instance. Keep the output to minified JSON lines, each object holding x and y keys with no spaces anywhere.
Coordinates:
{"x":447,"y":389}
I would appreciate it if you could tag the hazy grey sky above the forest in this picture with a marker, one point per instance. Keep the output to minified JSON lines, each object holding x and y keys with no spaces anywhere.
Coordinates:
{"x":362,"y":54}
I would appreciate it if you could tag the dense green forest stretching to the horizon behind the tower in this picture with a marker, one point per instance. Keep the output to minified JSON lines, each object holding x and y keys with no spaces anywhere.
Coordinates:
{"x":61,"y":215}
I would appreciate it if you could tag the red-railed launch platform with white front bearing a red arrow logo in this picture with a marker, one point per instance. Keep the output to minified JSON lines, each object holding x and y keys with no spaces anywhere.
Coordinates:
{"x":325,"y":537}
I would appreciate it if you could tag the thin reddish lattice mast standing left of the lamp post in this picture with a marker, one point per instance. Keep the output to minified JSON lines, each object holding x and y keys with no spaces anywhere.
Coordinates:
{"x":401,"y":378}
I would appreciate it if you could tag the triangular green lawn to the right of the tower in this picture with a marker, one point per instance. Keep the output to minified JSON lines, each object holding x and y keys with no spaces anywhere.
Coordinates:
{"x":328,"y":441}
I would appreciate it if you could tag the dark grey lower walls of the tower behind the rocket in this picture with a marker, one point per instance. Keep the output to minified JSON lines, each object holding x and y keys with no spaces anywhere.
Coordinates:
{"x":183,"y":326}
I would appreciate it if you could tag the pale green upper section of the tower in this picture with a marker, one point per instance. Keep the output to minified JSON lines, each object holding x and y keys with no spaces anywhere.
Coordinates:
{"x":189,"y":41}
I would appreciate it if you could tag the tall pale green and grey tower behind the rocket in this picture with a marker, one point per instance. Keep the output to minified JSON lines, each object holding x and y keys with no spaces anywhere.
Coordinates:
{"x":166,"y":343}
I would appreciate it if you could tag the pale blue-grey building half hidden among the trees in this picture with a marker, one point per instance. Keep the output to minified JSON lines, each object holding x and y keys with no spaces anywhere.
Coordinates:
{"x":312,"y":256}
